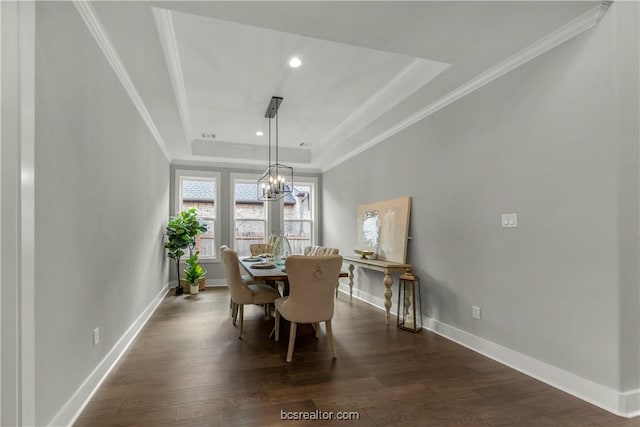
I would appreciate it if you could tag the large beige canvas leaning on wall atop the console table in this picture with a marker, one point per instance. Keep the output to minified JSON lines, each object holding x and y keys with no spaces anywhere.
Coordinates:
{"x":383,"y":227}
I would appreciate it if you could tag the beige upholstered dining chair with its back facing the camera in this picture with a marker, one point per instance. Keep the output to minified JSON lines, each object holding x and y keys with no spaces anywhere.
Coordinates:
{"x":312,"y":280}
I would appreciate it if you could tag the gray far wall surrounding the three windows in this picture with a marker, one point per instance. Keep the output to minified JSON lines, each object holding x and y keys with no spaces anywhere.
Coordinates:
{"x":215,"y":270}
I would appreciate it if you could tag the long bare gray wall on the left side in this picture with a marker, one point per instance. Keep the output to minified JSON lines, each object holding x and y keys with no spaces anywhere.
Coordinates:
{"x":102,"y":197}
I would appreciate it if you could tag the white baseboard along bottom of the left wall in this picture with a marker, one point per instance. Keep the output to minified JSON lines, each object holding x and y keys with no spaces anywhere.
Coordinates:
{"x":74,"y":406}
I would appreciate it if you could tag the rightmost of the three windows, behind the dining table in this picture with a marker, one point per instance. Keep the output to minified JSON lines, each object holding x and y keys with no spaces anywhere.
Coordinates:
{"x":299,"y":213}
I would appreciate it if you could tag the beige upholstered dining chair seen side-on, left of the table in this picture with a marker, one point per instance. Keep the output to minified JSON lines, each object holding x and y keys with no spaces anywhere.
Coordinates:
{"x":242,"y":292}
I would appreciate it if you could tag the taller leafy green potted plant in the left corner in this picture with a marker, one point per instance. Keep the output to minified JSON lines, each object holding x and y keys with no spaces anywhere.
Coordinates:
{"x":181,"y":234}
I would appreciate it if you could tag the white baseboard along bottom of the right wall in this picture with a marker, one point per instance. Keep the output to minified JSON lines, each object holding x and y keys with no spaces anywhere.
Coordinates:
{"x":625,"y":404}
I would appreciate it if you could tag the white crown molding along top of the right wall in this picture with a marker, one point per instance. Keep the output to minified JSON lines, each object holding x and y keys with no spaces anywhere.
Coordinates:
{"x":553,"y":39}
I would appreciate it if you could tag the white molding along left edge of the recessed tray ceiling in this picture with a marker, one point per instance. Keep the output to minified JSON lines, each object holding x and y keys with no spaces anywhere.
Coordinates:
{"x":167,"y":34}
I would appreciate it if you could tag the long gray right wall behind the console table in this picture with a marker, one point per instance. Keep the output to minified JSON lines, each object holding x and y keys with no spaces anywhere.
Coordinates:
{"x":555,"y":141}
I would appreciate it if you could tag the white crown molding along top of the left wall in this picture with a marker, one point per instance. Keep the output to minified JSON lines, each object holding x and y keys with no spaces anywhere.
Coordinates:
{"x":97,"y":30}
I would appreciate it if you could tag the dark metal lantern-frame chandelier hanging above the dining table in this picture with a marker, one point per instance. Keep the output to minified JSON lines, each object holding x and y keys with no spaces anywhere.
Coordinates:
{"x":277,"y":180}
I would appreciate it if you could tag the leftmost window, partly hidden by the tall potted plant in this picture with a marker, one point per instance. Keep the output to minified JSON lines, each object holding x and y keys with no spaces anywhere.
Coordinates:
{"x":199,"y":190}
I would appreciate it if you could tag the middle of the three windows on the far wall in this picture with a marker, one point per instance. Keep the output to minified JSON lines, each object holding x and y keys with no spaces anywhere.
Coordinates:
{"x":249,"y":214}
